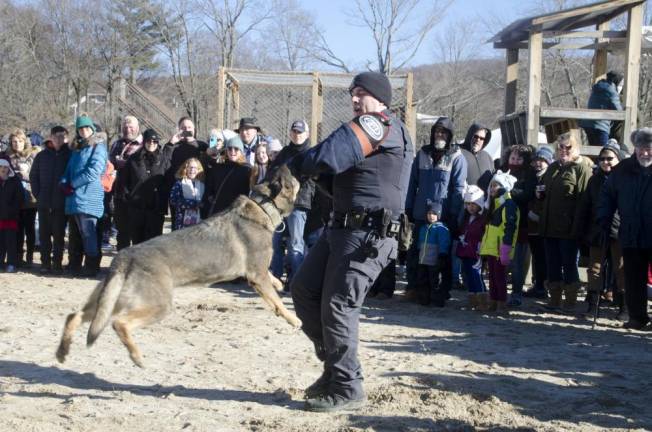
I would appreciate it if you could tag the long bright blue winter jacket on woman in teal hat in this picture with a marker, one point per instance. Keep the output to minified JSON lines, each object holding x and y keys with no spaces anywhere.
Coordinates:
{"x":83,"y":173}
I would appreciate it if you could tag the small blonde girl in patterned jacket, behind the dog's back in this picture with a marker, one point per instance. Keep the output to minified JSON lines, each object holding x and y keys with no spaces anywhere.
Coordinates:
{"x":186,"y":194}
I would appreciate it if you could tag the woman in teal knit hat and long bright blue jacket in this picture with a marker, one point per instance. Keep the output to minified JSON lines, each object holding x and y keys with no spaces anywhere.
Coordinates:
{"x":81,"y":183}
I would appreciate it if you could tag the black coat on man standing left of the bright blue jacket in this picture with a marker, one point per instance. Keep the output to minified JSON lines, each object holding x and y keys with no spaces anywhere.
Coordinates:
{"x":45,"y":175}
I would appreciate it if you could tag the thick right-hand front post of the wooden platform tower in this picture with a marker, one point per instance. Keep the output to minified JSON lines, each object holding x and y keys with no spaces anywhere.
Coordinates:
{"x":632,"y":67}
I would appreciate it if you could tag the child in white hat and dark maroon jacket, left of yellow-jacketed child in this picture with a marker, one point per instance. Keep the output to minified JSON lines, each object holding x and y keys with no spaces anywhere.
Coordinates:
{"x":468,"y":247}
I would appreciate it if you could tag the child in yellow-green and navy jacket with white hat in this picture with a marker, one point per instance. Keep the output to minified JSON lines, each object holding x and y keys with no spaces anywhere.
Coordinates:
{"x":500,"y":237}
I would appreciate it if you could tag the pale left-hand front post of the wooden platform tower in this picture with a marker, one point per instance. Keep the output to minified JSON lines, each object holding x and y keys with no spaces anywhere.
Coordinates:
{"x":535,"y":45}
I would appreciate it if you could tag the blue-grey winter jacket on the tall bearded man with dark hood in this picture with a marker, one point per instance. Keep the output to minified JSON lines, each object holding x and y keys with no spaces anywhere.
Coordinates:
{"x":442,"y":181}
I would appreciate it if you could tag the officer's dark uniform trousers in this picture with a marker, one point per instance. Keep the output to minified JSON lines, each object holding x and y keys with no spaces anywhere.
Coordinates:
{"x":328,"y":291}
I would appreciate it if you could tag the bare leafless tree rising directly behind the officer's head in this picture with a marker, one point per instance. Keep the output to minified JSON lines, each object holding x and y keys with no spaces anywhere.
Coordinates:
{"x":399,"y":27}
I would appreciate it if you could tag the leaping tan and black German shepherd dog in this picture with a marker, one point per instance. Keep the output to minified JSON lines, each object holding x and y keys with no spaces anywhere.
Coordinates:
{"x":237,"y":242}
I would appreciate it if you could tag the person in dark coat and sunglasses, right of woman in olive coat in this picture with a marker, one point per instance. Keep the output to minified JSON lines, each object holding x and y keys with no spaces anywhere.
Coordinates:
{"x":591,"y":232}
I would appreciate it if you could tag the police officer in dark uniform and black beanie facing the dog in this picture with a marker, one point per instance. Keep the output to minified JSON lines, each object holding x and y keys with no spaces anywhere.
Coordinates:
{"x":367,"y":162}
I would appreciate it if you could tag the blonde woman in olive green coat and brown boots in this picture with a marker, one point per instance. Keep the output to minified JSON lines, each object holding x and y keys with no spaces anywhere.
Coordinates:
{"x":563,"y":185}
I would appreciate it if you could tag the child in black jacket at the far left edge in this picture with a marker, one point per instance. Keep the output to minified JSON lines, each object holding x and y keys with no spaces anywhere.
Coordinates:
{"x":12,"y":196}
